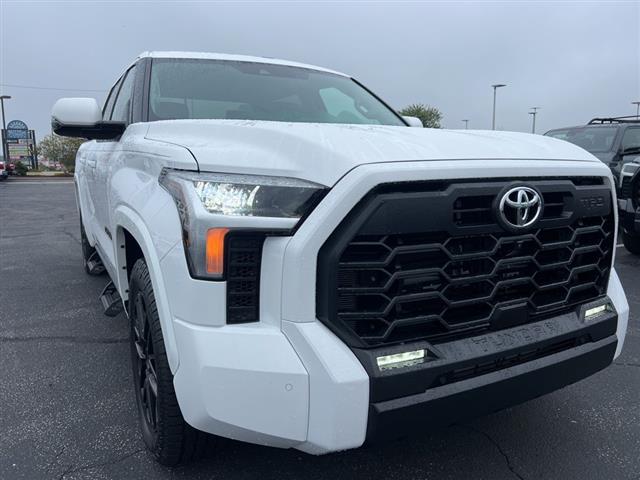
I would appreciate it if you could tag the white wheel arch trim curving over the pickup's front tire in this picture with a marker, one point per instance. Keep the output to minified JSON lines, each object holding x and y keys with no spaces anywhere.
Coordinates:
{"x":133,"y":241}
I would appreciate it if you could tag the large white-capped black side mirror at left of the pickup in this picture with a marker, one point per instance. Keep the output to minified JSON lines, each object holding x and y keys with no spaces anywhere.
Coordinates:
{"x":81,"y":117}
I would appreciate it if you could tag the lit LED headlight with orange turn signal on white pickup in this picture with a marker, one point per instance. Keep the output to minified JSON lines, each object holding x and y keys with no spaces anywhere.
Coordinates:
{"x":211,"y":205}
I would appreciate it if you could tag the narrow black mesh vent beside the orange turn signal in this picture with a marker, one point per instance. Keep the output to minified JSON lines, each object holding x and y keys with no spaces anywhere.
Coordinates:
{"x":243,"y":256}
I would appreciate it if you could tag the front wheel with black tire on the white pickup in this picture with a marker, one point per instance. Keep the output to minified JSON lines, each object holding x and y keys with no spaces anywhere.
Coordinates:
{"x":165,"y":432}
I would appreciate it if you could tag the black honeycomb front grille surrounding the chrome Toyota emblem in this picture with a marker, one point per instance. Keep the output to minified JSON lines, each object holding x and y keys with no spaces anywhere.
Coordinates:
{"x":432,"y":262}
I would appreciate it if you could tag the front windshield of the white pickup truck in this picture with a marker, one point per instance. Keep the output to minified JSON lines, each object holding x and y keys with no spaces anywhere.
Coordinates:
{"x":221,"y":89}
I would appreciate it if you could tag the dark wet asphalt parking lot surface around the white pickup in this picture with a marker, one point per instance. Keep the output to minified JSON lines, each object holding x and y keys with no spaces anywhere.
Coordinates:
{"x":67,"y":406}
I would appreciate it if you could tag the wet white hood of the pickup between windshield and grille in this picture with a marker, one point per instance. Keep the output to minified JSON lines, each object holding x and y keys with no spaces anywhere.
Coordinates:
{"x":323,"y":153}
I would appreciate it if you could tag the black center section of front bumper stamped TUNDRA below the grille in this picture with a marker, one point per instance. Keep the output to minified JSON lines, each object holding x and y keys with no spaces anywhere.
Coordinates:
{"x":545,"y":356}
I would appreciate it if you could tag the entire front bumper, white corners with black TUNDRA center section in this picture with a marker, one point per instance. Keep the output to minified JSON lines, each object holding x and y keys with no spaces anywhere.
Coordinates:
{"x":303,"y":388}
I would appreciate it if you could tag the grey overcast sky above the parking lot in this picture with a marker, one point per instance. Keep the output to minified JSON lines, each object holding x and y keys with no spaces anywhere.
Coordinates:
{"x":575,"y":60}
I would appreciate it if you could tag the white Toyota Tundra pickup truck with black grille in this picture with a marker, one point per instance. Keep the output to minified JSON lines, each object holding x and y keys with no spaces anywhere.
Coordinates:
{"x":302,"y":269}
